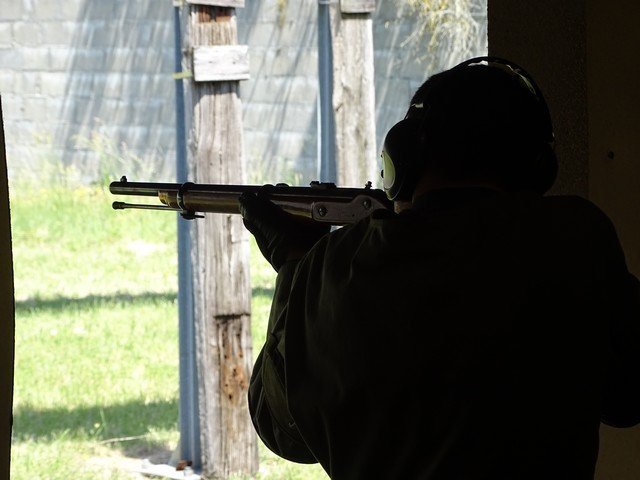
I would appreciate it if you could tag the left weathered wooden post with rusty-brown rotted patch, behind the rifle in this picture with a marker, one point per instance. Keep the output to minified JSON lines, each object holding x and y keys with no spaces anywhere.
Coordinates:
{"x":219,"y":243}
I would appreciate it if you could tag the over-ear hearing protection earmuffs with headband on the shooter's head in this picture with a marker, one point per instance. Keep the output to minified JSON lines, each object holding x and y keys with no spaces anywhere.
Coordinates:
{"x":404,"y":154}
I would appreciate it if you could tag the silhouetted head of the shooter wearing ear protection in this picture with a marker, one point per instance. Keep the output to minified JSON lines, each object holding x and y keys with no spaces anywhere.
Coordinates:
{"x":484,"y":121}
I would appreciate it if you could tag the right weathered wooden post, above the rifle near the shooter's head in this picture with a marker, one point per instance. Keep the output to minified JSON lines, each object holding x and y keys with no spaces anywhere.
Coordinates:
{"x":354,"y":92}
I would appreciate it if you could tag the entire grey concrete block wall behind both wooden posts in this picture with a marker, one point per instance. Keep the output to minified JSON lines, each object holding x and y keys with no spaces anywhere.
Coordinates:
{"x":87,"y":84}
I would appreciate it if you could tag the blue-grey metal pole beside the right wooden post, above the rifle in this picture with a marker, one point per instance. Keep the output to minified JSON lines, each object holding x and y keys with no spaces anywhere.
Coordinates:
{"x":326,"y":121}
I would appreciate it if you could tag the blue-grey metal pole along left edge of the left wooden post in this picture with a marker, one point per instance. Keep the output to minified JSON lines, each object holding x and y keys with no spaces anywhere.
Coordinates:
{"x":188,"y":403}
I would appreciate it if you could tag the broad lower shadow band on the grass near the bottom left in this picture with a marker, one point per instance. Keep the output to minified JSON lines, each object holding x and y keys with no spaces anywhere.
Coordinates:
{"x":100,"y":424}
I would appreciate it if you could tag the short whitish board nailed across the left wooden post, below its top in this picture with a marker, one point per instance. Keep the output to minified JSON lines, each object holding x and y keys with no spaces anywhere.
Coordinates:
{"x":220,"y":63}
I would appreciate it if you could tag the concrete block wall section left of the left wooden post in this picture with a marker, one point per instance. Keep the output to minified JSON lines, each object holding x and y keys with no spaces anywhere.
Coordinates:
{"x":84,"y":82}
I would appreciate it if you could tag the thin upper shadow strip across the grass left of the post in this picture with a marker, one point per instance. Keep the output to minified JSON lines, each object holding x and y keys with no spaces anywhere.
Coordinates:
{"x":60,"y":303}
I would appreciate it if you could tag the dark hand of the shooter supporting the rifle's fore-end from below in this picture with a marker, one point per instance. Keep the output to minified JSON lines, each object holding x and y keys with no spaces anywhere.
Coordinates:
{"x":280,"y":236}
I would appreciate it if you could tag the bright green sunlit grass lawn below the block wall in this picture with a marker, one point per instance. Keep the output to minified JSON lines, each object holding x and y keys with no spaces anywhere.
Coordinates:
{"x":96,"y":368}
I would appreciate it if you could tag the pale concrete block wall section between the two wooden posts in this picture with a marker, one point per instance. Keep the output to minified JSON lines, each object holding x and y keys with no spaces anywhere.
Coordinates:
{"x":280,"y":99}
